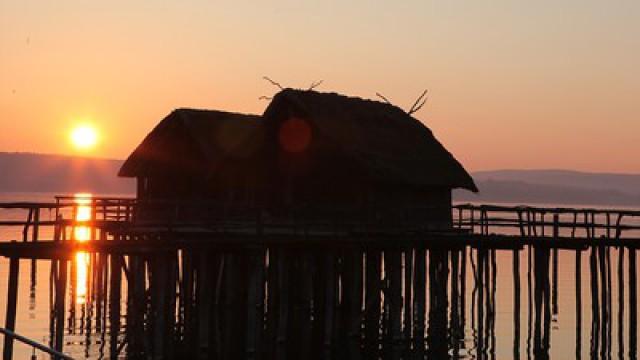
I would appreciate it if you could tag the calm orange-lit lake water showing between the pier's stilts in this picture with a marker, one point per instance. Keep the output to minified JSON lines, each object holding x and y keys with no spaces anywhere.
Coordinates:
{"x":492,"y":309}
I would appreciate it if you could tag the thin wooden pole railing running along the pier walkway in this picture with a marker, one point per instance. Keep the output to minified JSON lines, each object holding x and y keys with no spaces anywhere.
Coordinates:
{"x":108,"y":213}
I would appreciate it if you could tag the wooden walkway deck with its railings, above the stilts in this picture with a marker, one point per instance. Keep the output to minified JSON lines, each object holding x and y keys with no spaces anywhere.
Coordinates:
{"x":114,"y":229}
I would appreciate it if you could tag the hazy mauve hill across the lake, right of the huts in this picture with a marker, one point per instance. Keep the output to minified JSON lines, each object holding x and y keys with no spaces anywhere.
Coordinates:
{"x":554,"y":187}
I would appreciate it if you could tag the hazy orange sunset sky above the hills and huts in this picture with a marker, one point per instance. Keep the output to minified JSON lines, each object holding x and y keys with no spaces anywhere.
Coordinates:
{"x":512,"y":84}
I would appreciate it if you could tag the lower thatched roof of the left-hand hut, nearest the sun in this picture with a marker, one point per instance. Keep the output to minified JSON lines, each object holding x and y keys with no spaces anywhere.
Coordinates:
{"x":190,"y":140}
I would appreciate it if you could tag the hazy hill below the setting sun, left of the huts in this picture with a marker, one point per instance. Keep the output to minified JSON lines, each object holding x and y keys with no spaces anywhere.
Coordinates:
{"x":25,"y":172}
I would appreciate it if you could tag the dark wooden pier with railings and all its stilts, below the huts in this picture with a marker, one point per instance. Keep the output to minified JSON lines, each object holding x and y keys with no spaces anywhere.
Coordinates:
{"x":228,"y":287}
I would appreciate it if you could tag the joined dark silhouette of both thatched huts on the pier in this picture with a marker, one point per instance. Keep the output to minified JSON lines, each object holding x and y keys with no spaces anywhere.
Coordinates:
{"x":322,"y":152}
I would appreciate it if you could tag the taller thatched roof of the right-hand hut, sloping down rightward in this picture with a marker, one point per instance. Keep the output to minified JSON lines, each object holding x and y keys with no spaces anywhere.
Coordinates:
{"x":392,"y":145}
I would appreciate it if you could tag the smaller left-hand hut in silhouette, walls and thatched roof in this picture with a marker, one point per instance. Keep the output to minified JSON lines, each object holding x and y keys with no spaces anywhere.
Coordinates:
{"x":181,"y":156}
